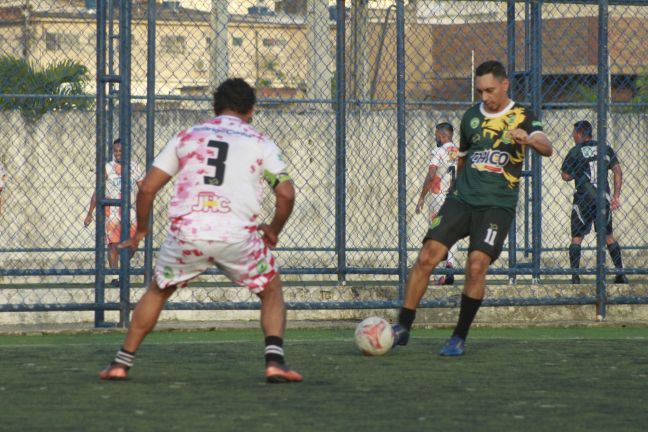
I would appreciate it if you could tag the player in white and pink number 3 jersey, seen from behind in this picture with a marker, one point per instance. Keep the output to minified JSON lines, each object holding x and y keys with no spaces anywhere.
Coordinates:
{"x":220,"y":167}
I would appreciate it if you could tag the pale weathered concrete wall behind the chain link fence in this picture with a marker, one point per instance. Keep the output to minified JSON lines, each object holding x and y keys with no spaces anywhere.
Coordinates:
{"x":52,"y":171}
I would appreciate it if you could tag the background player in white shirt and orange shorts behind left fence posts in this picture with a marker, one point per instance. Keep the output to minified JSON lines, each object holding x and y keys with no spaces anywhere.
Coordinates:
{"x":113,"y":172}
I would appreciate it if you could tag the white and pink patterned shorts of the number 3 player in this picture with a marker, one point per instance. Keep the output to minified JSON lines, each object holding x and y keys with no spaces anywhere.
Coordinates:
{"x":247,"y":263}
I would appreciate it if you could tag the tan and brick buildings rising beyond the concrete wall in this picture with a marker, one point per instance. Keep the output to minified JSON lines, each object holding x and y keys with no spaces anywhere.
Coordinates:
{"x":287,"y":47}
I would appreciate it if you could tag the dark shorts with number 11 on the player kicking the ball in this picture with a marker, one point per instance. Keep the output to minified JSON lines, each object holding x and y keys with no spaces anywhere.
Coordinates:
{"x":486,"y":226}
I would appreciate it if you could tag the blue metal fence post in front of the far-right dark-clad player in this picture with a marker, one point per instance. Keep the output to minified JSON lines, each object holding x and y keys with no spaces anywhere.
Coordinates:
{"x":602,"y":109}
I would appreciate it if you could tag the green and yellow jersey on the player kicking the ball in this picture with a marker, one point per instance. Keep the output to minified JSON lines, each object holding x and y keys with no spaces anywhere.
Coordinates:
{"x":492,"y":162}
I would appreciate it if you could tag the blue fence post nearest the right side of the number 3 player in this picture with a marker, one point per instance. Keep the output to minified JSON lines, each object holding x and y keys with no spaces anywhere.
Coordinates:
{"x":340,"y":143}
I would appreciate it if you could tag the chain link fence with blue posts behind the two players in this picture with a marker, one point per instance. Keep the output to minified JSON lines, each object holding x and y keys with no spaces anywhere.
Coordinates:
{"x":327,"y":76}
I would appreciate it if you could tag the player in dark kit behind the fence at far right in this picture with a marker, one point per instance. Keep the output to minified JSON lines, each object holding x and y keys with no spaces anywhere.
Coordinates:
{"x":580,"y":165}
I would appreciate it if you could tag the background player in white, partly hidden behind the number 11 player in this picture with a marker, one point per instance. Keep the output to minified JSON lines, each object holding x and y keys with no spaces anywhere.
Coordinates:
{"x":440,"y":178}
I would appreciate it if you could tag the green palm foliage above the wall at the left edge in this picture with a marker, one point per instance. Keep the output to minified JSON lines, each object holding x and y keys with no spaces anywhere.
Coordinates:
{"x":57,"y":87}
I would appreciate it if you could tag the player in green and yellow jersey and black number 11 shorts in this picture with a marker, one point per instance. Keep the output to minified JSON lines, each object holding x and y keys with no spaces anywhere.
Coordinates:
{"x":494,"y":134}
